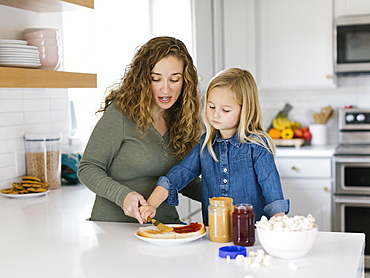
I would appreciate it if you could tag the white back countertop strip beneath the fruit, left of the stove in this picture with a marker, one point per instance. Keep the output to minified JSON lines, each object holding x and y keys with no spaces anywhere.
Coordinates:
{"x":306,"y":151}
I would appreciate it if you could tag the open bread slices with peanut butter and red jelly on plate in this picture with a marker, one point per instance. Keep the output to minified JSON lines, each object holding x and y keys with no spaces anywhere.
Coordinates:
{"x":191,"y":230}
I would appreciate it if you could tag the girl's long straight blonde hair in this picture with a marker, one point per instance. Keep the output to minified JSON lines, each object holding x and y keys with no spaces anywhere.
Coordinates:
{"x":244,"y":89}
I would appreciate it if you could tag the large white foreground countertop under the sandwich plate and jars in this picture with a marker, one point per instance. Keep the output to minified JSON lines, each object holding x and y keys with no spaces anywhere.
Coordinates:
{"x":48,"y":236}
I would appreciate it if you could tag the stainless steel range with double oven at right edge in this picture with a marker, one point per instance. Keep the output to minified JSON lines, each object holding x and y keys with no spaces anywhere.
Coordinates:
{"x":351,"y":164}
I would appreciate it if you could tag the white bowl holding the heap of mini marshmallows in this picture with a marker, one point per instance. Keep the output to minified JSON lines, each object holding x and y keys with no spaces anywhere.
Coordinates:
{"x":287,"y":245}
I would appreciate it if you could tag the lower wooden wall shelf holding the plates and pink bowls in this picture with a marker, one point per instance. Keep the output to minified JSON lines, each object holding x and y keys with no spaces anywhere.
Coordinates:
{"x":39,"y":78}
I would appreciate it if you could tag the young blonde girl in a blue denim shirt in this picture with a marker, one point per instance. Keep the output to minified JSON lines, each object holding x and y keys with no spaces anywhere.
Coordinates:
{"x":235,"y":156}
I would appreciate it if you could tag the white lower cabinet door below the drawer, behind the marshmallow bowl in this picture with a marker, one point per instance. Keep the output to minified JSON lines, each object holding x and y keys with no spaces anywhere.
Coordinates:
{"x":310,"y":196}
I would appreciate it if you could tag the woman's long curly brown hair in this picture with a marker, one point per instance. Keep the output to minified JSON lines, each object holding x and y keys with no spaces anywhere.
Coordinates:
{"x":134,"y":96}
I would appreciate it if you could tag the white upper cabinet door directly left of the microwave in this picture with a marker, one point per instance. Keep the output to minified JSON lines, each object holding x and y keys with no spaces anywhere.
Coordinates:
{"x":294,"y":40}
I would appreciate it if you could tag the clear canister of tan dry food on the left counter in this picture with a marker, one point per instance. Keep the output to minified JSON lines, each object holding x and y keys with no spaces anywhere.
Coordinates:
{"x":43,"y":157}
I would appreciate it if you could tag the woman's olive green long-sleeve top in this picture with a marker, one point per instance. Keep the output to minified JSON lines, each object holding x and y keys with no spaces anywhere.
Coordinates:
{"x":118,"y":160}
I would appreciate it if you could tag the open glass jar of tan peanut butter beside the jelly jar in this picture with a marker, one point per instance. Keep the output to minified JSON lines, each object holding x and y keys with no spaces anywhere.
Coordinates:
{"x":219,"y":219}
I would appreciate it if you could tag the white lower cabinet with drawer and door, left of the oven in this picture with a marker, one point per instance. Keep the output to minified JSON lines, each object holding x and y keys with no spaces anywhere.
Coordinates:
{"x":307,"y":182}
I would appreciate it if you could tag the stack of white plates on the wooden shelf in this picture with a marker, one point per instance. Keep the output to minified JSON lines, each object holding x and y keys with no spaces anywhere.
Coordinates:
{"x":16,"y":53}
